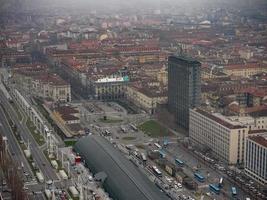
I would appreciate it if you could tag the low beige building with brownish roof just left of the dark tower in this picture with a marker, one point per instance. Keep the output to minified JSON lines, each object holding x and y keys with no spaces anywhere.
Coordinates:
{"x":147,"y":98}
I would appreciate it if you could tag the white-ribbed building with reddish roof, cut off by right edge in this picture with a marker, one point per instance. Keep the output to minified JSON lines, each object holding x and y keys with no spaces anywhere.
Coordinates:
{"x":256,"y":157}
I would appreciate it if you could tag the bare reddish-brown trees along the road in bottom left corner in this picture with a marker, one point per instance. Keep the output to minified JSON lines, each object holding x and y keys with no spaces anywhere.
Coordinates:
{"x":10,"y":173}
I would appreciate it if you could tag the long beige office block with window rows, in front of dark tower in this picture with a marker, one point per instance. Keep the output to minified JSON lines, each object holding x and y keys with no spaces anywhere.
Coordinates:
{"x":225,"y":138}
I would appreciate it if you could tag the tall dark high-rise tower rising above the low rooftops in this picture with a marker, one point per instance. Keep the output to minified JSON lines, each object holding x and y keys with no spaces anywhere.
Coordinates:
{"x":184,"y":90}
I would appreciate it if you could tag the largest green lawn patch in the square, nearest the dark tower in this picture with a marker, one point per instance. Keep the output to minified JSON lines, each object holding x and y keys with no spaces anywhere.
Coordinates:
{"x":154,"y":129}
